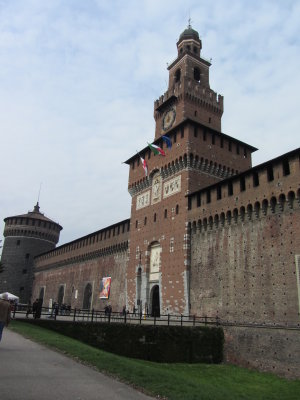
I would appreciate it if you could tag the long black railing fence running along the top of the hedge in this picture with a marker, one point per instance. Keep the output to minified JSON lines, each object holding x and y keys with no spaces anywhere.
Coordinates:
{"x":81,"y":315}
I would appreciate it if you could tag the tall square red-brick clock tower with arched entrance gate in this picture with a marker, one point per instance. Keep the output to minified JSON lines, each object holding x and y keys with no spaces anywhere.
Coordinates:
{"x":189,"y":113}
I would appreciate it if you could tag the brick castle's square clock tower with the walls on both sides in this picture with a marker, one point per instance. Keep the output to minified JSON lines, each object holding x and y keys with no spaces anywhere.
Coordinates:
{"x":208,"y":234}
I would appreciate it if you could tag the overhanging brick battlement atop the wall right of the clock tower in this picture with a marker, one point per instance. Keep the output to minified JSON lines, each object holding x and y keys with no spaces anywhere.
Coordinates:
{"x":279,"y":178}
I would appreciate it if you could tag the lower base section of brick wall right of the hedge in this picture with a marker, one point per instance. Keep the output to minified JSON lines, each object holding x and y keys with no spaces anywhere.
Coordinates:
{"x":265,"y":349}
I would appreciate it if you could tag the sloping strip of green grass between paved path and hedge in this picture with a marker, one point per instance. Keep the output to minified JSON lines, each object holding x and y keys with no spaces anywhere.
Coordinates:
{"x":172,"y":381}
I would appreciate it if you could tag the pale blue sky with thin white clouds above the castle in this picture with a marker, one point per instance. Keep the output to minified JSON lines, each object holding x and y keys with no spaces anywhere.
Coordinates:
{"x":78,"y":79}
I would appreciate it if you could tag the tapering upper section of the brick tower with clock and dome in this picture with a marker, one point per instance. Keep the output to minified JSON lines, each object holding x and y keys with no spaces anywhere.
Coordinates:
{"x":189,"y":95}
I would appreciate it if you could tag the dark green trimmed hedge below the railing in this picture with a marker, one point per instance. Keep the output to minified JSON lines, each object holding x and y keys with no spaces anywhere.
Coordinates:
{"x":153,"y":343}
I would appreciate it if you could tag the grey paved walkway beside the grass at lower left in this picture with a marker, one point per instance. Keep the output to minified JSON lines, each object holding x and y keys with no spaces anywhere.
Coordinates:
{"x":29,"y":371}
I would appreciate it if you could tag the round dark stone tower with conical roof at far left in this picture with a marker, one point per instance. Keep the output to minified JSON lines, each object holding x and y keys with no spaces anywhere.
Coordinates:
{"x":26,"y":236}
